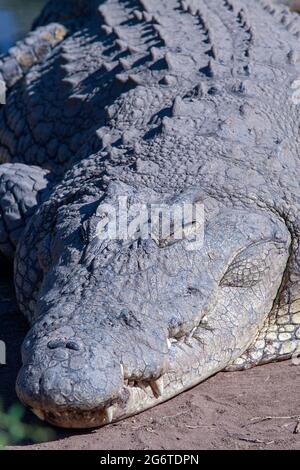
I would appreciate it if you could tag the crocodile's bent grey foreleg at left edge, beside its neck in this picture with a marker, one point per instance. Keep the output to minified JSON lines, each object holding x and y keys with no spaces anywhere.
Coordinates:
{"x":22,"y":189}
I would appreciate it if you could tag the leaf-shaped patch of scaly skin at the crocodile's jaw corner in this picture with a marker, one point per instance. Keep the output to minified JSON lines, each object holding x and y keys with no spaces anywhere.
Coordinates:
{"x":251,"y":265}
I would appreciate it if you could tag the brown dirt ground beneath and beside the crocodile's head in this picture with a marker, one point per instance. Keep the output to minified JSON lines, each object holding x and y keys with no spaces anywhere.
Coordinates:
{"x":256,"y":409}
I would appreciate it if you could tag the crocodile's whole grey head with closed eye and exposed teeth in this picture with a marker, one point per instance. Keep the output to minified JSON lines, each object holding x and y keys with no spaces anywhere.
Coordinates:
{"x":121,"y":325}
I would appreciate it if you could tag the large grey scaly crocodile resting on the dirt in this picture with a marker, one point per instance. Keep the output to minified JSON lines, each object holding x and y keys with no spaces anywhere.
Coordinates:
{"x":155,"y":103}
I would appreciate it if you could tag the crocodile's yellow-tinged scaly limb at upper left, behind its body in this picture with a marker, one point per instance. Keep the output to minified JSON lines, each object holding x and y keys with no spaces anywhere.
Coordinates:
{"x":31,"y":50}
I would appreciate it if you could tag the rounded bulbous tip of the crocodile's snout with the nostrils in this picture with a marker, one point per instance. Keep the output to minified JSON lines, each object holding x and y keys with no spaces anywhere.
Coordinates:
{"x":70,"y":382}
